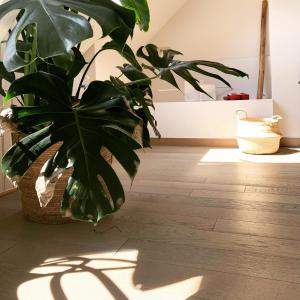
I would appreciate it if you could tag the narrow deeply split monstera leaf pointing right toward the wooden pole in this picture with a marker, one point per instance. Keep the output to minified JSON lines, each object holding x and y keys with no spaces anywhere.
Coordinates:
{"x":166,"y":65}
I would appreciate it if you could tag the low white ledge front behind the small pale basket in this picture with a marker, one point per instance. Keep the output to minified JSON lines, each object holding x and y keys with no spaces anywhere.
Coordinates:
{"x":206,"y":119}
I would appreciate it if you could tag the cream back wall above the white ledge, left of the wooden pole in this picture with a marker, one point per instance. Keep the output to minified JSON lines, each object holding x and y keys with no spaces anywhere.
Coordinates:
{"x":227,"y":31}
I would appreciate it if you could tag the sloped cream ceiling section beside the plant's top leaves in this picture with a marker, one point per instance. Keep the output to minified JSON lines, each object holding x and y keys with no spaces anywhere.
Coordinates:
{"x":161,"y":12}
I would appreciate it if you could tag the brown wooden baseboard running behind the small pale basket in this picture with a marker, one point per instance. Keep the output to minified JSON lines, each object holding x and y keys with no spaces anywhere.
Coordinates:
{"x":226,"y":143}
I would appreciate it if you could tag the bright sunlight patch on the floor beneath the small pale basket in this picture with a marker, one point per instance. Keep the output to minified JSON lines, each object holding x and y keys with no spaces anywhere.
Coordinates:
{"x":227,"y":155}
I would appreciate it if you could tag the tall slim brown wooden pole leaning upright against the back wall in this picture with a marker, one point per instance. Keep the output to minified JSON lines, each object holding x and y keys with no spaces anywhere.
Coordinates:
{"x":262,"y":55}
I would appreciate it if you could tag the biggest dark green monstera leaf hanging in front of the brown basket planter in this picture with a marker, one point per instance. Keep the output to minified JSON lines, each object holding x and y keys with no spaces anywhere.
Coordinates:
{"x":103,"y":115}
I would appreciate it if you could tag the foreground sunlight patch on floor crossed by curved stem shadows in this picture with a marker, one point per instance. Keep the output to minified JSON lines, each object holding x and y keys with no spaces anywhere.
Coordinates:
{"x":99,"y":276}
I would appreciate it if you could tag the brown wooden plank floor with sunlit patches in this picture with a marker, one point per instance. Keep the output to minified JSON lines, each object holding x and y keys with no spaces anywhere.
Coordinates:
{"x":199,"y":223}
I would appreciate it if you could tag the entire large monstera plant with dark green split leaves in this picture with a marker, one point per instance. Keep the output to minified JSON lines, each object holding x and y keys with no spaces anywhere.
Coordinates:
{"x":44,"y":45}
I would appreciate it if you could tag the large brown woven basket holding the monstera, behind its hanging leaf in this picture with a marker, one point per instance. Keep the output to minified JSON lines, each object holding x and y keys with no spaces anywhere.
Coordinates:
{"x":30,"y":203}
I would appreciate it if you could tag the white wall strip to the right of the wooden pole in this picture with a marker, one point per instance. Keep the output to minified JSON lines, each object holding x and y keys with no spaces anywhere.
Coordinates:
{"x":285,"y":54}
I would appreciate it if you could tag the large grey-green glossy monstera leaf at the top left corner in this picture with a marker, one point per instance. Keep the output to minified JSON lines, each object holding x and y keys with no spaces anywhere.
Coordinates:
{"x":59,"y":27}
